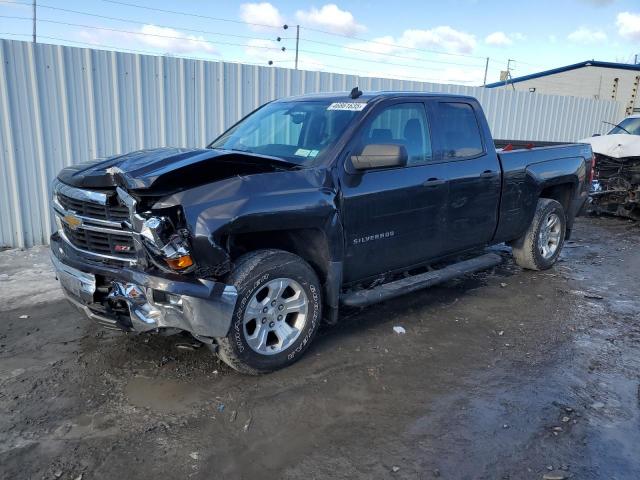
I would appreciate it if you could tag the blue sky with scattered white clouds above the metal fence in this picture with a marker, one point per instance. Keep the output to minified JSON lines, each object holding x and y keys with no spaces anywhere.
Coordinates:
{"x":435,"y":41}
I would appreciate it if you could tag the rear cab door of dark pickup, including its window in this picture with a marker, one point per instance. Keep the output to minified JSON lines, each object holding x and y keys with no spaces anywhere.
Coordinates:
{"x":472,"y":172}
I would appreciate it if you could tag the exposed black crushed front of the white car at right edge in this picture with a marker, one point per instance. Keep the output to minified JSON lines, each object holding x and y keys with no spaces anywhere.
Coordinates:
{"x":616,"y":187}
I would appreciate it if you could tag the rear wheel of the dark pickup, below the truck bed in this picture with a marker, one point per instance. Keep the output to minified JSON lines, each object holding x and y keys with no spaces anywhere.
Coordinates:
{"x":529,"y":250}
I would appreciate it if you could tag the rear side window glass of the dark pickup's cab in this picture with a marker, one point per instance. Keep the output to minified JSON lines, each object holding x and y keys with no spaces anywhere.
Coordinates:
{"x":461,"y":133}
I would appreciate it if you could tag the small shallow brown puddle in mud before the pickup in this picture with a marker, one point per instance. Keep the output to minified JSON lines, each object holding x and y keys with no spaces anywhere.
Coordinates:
{"x":163,"y":395}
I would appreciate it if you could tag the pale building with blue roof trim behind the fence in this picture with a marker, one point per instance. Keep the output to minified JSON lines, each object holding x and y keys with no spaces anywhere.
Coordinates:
{"x":592,"y":79}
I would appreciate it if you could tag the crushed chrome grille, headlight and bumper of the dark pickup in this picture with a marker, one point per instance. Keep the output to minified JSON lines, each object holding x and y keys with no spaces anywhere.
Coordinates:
{"x":134,"y":270}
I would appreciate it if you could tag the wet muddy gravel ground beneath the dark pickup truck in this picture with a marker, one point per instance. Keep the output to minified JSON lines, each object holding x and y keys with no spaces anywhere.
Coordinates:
{"x":503,"y":374}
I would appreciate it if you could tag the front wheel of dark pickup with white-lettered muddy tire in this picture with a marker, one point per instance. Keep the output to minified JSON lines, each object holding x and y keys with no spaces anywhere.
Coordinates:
{"x":260,"y":278}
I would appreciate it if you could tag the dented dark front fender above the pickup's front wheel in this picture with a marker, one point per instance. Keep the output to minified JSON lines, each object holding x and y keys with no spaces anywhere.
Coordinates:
{"x":272,"y":201}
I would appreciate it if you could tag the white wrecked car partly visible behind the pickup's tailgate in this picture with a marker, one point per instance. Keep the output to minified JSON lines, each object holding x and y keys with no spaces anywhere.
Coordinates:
{"x":616,"y":185}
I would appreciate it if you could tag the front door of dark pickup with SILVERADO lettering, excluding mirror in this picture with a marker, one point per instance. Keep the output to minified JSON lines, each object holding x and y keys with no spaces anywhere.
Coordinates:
{"x":392,"y":217}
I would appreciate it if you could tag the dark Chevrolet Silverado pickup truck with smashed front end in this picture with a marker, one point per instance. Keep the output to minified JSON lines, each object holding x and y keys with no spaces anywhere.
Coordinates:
{"x":306,"y":205}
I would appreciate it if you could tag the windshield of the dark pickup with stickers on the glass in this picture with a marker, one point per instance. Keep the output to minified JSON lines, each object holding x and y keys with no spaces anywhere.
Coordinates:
{"x":297,"y":132}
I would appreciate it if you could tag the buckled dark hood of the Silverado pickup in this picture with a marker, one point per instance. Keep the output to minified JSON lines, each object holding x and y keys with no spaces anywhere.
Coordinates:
{"x":164,"y":168}
